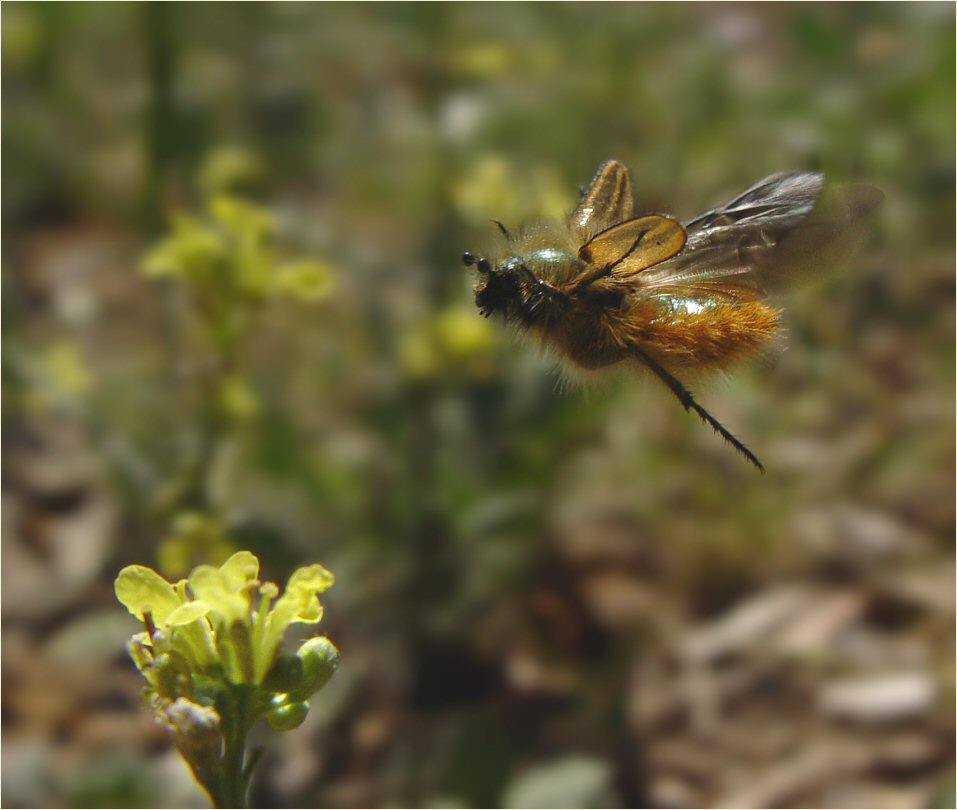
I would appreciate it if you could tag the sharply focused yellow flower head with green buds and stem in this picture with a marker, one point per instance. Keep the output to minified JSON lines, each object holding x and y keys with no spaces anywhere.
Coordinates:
{"x":212,"y":656}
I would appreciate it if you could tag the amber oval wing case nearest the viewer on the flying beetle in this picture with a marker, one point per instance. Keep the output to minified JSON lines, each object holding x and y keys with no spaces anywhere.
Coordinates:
{"x":634,"y":245}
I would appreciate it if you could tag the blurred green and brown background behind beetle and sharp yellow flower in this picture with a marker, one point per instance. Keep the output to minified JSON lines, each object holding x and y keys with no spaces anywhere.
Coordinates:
{"x":235,"y":316}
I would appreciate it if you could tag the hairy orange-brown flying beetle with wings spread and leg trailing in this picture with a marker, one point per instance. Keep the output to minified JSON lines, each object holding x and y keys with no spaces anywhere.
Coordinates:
{"x":608,"y":287}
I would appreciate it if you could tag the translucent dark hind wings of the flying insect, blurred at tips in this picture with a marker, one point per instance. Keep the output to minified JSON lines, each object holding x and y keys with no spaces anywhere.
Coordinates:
{"x":784,"y":229}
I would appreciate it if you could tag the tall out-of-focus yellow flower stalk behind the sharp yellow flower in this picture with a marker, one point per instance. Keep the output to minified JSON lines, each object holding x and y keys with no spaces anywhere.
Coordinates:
{"x":226,"y":266}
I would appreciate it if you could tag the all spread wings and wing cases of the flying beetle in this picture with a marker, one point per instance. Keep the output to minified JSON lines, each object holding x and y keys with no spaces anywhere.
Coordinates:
{"x":779,"y":232}
